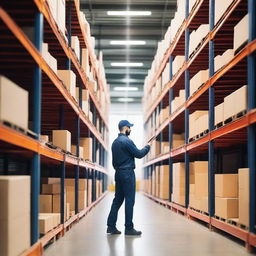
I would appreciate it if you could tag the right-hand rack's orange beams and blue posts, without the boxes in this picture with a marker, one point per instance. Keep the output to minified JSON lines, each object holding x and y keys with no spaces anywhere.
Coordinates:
{"x":240,"y":131}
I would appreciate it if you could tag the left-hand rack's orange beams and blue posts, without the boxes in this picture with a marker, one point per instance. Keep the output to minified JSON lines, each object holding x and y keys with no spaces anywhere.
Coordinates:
{"x":51,"y":105}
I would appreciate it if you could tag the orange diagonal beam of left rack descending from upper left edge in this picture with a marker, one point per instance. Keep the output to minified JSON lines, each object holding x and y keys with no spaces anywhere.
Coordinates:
{"x":17,"y":32}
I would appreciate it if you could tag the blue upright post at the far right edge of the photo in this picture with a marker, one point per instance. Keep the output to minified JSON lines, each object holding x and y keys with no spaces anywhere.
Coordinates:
{"x":251,"y":130}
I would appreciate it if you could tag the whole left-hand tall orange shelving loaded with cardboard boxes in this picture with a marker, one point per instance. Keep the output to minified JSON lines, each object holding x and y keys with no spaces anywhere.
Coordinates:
{"x":27,"y":29}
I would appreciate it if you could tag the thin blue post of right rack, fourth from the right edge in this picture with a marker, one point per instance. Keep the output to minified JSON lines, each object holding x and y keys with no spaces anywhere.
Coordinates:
{"x":170,"y":132}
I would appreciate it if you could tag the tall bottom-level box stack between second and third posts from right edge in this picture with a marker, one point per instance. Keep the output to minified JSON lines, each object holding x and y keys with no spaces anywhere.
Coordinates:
{"x":198,"y":194}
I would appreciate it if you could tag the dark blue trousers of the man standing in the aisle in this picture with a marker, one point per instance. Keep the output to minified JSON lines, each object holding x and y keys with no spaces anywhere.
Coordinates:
{"x":125,"y":189}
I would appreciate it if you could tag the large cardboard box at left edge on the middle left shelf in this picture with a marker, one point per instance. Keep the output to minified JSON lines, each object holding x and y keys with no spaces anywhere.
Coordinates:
{"x":13,"y":103}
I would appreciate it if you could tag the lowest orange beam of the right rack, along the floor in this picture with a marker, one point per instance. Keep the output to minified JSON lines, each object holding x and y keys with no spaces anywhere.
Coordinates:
{"x":242,"y":234}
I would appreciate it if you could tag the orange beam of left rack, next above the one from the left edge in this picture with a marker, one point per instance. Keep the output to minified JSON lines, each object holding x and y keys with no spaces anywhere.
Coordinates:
{"x":42,"y":5}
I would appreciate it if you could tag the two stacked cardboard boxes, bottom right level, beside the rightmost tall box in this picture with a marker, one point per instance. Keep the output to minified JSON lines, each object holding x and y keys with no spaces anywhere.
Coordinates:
{"x":226,"y":195}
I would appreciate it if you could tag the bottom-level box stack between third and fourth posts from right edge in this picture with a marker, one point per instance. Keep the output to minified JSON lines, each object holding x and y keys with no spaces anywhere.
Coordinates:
{"x":178,"y":190}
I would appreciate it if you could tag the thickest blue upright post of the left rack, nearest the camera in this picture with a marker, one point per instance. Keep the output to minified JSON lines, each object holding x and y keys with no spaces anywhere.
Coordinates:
{"x":36,"y":170}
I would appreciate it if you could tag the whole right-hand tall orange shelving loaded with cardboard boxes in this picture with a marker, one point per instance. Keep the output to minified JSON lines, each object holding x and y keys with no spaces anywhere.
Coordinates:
{"x":201,"y":76}
